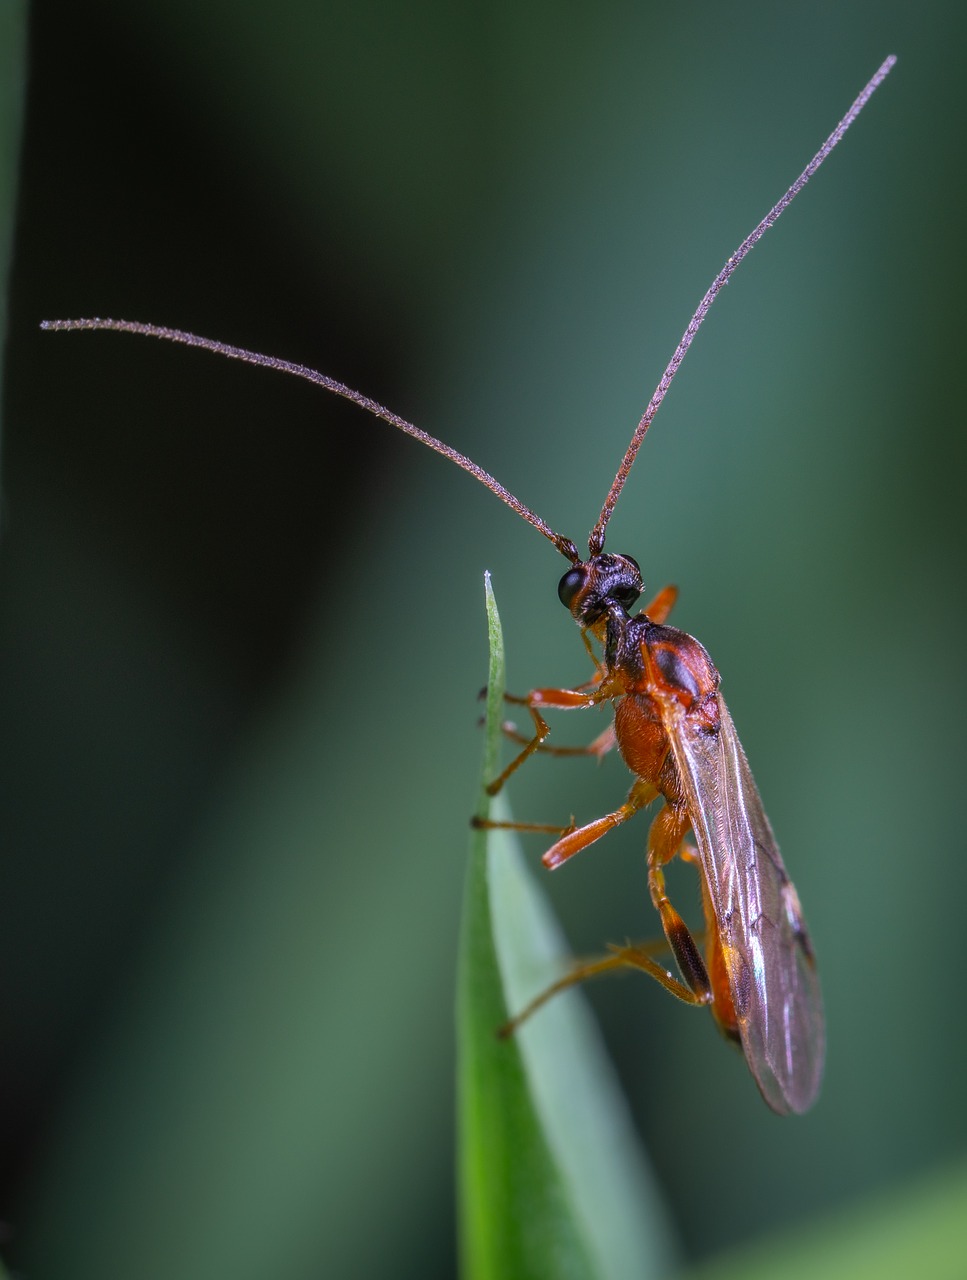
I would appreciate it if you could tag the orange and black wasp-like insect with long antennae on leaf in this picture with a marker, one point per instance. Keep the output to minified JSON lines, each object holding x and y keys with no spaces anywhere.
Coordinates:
{"x":758,"y":972}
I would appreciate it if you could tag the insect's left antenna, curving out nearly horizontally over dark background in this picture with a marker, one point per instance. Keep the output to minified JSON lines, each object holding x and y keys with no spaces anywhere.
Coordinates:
{"x":153,"y":331}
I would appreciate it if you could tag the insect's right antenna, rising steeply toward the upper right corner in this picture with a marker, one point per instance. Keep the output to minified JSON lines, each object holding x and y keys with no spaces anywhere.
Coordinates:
{"x":596,"y":542}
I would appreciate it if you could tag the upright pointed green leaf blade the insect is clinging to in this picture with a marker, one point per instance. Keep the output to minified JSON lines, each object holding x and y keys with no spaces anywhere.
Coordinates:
{"x":553,"y":1181}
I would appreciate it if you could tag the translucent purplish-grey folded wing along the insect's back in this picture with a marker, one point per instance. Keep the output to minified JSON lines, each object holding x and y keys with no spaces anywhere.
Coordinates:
{"x":768,"y":953}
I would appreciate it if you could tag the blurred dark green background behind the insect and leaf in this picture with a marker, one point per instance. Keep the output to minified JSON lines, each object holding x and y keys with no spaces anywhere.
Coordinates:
{"x":243,"y":625}
